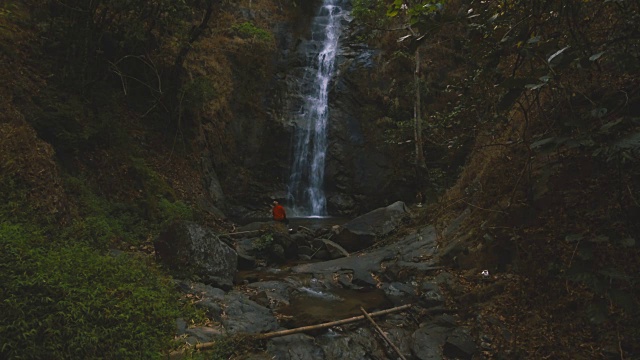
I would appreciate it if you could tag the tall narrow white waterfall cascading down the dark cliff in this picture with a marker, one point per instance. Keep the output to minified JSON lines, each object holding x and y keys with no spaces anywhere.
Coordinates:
{"x":306,"y":183}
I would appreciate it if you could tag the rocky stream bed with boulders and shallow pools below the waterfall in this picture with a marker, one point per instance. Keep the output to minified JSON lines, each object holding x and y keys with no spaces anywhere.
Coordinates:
{"x":264,"y":279}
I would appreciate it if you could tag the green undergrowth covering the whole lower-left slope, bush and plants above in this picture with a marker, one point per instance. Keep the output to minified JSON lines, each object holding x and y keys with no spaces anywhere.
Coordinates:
{"x":63,"y":296}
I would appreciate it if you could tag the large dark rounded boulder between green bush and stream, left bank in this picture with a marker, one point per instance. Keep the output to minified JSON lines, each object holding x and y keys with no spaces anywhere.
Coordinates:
{"x":189,"y":249}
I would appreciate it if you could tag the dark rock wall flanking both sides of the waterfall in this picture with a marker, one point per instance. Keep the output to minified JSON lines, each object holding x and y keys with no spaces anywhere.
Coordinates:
{"x":361,"y":174}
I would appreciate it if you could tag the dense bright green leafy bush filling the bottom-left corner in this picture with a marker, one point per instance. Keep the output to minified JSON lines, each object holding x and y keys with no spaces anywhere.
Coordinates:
{"x":68,"y":301}
